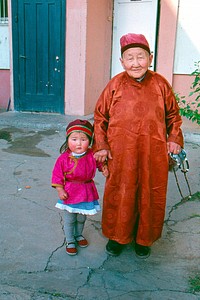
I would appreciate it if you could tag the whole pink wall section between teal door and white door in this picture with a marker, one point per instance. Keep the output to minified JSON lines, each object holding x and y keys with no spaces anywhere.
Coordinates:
{"x":88,"y":52}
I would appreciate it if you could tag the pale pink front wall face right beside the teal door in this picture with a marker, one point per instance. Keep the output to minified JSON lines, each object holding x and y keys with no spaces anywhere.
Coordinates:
{"x":75,"y":60}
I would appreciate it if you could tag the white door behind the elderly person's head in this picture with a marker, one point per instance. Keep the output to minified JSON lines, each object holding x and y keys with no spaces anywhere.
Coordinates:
{"x":133,"y":16}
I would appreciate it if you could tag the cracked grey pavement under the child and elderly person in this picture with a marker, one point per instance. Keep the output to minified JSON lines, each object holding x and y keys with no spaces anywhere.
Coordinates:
{"x":33,"y":262}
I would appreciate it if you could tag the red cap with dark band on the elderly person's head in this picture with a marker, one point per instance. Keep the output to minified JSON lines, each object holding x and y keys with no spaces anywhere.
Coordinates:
{"x":132,"y":40}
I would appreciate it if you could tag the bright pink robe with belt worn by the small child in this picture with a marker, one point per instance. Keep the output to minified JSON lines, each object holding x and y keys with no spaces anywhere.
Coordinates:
{"x":76,"y":176}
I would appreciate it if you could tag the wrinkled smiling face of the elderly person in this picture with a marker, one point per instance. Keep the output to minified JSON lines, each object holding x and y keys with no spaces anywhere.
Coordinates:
{"x":136,"y":62}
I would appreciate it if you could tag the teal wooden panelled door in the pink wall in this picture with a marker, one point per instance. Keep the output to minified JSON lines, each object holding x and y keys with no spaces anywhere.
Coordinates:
{"x":38,"y":55}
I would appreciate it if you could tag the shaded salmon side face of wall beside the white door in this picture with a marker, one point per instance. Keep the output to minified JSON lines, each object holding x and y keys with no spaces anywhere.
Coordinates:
{"x":98,"y":56}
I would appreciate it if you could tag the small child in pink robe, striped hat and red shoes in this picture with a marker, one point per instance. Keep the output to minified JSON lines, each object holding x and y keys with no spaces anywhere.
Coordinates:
{"x":72,"y":177}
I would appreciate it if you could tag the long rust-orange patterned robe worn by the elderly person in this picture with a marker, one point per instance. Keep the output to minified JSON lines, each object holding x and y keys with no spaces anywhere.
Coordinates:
{"x":135,"y":120}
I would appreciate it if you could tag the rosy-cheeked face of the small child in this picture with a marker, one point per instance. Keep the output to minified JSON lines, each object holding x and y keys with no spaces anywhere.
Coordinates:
{"x":78,"y":142}
